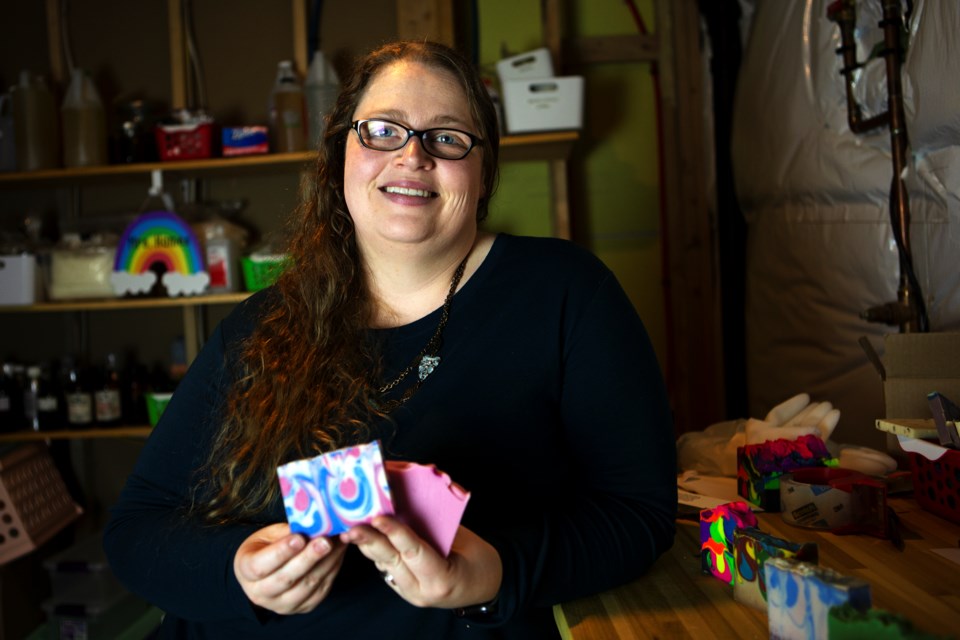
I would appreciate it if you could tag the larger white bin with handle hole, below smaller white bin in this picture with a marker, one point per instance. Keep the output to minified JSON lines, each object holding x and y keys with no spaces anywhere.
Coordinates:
{"x":546,"y":104}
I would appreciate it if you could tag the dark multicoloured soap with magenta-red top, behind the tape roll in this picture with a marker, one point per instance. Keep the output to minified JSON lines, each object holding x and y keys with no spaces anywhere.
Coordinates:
{"x":759,"y":466}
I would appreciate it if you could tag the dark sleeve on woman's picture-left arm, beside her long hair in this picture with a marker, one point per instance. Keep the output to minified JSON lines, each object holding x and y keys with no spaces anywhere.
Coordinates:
{"x":154,"y":548}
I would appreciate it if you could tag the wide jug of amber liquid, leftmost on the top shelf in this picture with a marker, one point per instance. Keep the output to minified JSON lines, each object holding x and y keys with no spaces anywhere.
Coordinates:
{"x":35,"y":124}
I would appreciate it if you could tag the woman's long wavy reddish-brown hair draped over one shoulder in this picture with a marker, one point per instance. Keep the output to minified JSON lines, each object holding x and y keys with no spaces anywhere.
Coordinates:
{"x":306,"y":385}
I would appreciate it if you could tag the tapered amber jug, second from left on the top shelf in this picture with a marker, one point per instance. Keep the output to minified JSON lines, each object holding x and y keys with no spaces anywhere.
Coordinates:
{"x":84,"y":123}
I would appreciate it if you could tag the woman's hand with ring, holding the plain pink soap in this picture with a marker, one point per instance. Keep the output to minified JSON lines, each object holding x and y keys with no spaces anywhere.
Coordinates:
{"x":470,"y":575}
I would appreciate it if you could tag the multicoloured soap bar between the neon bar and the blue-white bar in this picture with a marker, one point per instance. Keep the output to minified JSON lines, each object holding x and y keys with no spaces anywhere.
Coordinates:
{"x":752,"y":548}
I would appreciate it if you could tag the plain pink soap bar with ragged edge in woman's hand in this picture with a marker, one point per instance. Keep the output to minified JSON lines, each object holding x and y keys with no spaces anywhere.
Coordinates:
{"x":427,"y":501}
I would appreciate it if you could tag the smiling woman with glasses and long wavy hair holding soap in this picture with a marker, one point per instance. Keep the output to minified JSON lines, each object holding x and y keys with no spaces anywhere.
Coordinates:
{"x":515,"y":365}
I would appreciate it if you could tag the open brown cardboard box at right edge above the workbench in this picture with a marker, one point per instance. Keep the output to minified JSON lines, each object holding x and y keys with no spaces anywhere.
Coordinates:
{"x":915,"y":365}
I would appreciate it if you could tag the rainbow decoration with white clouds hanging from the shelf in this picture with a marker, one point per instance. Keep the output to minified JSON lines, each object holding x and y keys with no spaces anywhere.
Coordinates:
{"x":159,"y":242}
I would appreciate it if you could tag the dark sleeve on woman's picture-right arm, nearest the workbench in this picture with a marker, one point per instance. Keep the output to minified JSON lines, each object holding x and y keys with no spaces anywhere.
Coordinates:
{"x":619,"y":516}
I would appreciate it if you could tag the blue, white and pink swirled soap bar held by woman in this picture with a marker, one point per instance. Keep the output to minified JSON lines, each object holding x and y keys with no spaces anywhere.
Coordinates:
{"x":330,"y":493}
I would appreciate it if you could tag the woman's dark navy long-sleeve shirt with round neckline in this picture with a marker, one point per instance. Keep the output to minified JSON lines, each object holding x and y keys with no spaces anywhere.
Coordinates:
{"x":548,"y":406}
